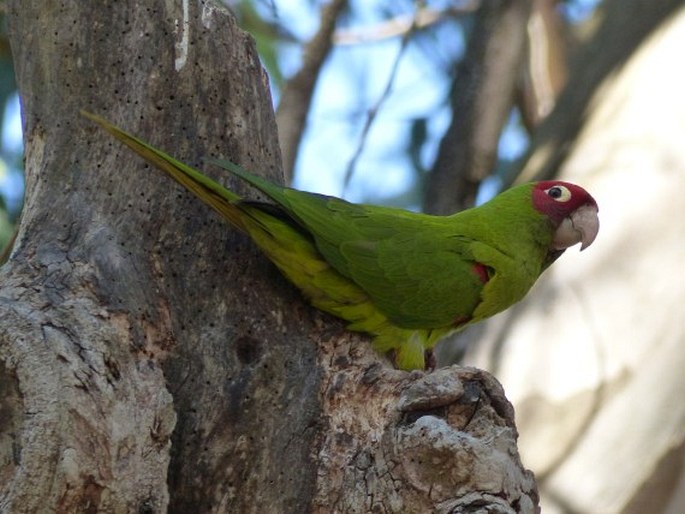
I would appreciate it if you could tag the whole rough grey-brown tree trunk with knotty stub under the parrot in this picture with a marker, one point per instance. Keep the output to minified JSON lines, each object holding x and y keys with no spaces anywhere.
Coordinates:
{"x":152,"y":360}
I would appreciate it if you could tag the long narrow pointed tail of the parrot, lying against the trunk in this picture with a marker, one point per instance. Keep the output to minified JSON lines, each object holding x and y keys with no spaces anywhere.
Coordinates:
{"x":210,"y":192}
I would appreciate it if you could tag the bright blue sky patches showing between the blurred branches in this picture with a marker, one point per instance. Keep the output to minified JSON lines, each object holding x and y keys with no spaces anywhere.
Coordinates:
{"x":353,"y":80}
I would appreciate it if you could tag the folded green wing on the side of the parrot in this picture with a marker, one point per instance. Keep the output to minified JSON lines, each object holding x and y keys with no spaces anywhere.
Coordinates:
{"x":416,"y":268}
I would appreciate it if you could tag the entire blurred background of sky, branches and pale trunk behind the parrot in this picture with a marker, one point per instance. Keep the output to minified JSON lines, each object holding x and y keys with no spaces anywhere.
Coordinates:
{"x":436,"y":106}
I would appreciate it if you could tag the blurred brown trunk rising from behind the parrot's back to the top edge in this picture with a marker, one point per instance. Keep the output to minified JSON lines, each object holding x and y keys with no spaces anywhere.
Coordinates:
{"x":481,"y":98}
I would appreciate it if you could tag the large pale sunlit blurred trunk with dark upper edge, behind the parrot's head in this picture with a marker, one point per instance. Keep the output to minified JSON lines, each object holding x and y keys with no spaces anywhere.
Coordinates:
{"x":600,"y":405}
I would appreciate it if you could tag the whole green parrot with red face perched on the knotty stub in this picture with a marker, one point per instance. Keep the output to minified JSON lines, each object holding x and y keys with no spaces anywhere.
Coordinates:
{"x":406,"y":278}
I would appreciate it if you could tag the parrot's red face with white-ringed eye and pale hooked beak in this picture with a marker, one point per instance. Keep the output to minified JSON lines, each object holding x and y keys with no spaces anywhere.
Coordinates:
{"x":571,"y":209}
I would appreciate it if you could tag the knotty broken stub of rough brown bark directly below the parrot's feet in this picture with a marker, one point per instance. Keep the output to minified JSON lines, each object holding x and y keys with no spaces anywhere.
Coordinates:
{"x":398,"y":442}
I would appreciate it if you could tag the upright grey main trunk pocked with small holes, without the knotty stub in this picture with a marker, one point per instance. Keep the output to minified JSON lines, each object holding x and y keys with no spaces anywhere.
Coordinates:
{"x":141,"y":334}
